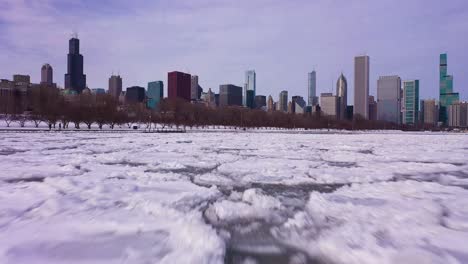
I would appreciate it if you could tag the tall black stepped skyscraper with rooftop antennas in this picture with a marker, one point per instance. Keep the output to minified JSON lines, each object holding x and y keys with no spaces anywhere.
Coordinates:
{"x":75,"y":79}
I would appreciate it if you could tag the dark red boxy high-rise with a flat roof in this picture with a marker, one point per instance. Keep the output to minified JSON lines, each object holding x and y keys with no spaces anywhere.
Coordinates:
{"x":179,"y":85}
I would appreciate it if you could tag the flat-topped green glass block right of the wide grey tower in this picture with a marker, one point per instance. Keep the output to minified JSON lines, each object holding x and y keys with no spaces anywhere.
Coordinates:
{"x":411,"y":102}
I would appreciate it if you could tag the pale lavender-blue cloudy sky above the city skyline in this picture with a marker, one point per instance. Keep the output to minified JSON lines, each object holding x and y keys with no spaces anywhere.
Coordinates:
{"x":219,"y":40}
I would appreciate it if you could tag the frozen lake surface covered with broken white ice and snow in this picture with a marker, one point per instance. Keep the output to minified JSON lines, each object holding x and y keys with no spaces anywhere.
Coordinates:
{"x":233,"y":198}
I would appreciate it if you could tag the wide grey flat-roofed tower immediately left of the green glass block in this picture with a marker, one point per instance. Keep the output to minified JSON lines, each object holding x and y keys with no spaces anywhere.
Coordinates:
{"x":388,"y":99}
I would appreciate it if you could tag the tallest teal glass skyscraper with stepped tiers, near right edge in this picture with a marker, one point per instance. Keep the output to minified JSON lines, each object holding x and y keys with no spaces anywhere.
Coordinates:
{"x":446,"y":95}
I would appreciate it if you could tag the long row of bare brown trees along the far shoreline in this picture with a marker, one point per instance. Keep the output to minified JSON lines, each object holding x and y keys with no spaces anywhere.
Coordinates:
{"x":49,"y":105}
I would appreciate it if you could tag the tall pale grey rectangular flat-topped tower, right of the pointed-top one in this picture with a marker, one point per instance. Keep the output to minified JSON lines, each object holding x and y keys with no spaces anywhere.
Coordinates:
{"x":361,"y":86}
